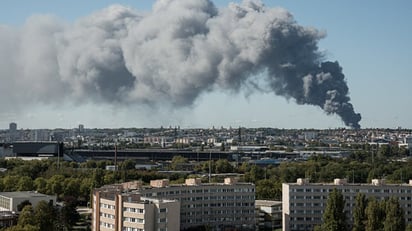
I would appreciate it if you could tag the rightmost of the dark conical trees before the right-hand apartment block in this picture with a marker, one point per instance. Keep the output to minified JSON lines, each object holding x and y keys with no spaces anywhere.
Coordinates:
{"x":395,"y":217}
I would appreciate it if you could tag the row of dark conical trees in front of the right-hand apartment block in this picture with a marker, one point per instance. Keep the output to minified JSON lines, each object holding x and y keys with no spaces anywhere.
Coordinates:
{"x":369,"y":214}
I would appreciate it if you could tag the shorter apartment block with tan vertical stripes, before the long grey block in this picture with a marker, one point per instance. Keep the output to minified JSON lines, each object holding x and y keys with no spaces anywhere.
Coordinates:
{"x":119,"y":211}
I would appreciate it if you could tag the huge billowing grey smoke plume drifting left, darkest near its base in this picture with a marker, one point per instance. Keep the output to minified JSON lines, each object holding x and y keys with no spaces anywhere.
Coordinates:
{"x":170,"y":55}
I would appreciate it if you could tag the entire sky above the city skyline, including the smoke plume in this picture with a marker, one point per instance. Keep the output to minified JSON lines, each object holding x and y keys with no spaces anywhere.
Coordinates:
{"x":203,"y":63}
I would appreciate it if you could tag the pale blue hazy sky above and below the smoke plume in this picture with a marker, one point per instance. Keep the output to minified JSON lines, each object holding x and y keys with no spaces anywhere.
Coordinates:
{"x":370,"y":39}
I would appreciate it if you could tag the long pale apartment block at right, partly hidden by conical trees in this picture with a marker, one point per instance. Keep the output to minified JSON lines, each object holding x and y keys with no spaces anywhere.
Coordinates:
{"x":304,"y":202}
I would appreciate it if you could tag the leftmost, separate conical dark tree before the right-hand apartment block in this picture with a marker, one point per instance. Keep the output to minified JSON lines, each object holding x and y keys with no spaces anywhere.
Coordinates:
{"x":334,"y":217}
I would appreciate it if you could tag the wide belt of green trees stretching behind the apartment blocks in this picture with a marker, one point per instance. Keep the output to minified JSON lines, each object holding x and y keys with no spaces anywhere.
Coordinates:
{"x":78,"y":180}
